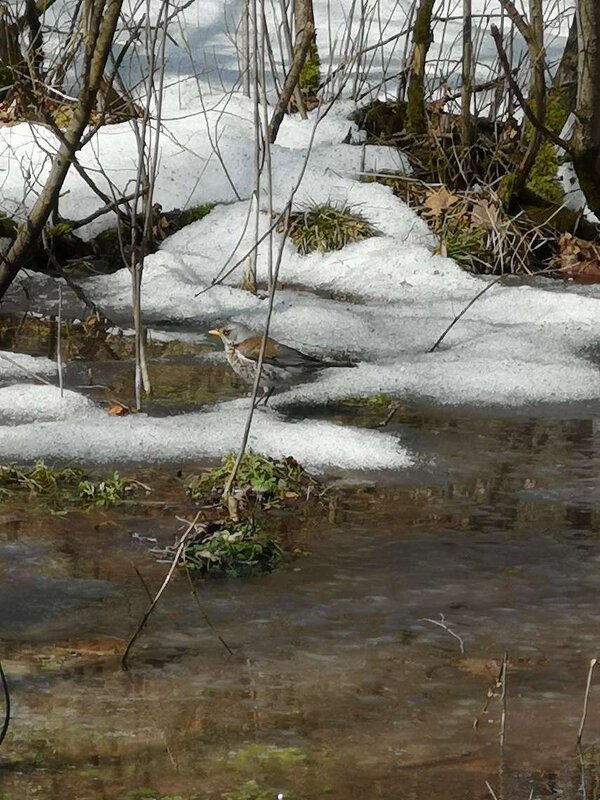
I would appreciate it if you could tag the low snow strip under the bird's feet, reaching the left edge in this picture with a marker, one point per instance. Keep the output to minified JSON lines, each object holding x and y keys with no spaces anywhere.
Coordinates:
{"x":82,"y":432}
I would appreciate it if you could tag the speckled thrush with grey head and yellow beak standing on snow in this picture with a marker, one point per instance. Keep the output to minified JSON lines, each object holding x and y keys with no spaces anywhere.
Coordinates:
{"x":281,"y":364}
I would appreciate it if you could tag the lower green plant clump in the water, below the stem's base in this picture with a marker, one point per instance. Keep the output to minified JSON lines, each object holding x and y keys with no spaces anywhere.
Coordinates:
{"x":234,"y":548}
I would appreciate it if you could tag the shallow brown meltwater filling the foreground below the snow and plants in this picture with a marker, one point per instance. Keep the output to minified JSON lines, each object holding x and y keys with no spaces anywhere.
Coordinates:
{"x":337,"y":687}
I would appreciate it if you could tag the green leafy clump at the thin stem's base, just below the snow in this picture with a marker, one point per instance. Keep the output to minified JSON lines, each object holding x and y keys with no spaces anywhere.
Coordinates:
{"x":269,"y":479}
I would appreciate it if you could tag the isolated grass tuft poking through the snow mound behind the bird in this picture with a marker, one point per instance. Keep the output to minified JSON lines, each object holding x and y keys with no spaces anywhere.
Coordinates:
{"x":324,"y":228}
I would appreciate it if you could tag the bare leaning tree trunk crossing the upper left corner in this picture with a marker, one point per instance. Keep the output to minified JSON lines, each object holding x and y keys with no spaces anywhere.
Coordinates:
{"x":102,"y":22}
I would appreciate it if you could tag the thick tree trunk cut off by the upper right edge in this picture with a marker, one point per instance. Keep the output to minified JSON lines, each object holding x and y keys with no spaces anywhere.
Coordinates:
{"x":586,"y":133}
